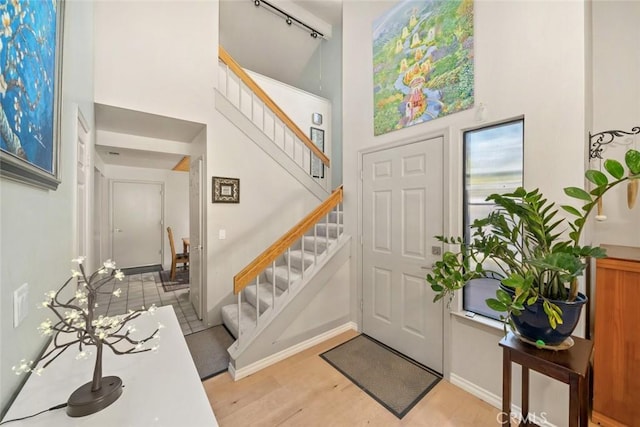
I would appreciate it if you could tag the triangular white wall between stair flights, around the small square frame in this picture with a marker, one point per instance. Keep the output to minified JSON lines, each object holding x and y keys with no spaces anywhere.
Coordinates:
{"x":271,"y":202}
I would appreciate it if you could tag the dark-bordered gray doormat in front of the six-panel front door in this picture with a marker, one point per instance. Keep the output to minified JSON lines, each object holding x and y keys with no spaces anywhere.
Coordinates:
{"x":394,"y":380}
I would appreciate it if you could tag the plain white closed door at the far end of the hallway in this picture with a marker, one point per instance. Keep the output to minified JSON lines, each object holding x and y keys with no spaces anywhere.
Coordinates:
{"x":137,"y":223}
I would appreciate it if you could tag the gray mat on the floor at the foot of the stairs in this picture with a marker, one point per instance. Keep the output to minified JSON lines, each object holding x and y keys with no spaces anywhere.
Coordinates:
{"x":208,"y":349}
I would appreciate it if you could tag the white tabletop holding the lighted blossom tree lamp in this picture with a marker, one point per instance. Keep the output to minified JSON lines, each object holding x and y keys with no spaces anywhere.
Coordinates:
{"x":160,"y":388}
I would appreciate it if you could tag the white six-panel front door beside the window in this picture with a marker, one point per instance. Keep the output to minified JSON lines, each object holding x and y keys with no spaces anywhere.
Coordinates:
{"x":402,"y":210}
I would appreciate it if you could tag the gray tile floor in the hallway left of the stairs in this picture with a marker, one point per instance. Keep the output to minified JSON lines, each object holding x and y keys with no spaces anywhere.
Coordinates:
{"x":144,"y":290}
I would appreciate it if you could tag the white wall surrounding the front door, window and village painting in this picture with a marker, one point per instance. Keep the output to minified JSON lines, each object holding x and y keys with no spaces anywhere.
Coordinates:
{"x":529,"y":60}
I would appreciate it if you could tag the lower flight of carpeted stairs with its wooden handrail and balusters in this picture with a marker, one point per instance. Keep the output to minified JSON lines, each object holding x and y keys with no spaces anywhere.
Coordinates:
{"x":320,"y":236}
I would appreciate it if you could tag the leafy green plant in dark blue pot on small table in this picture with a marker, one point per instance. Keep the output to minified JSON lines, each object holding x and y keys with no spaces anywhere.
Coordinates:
{"x":534,"y":253}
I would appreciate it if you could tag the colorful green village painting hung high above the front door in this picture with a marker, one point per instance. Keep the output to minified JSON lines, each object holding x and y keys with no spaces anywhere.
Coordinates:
{"x":422,"y":62}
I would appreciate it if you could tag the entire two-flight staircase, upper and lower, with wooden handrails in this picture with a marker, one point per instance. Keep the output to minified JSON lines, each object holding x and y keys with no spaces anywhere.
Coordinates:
{"x":279,"y":284}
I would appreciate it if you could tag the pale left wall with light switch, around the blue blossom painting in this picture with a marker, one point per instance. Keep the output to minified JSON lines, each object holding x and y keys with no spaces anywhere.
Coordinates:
{"x":37,"y":232}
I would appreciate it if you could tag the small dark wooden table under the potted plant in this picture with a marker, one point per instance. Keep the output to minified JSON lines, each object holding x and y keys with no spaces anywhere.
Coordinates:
{"x":570,"y":366}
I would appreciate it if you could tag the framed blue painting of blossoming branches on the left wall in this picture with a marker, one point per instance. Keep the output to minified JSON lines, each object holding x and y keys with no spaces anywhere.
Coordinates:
{"x":28,"y":38}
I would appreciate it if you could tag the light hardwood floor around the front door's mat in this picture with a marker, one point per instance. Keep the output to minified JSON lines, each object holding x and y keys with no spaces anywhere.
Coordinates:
{"x":304,"y":390}
